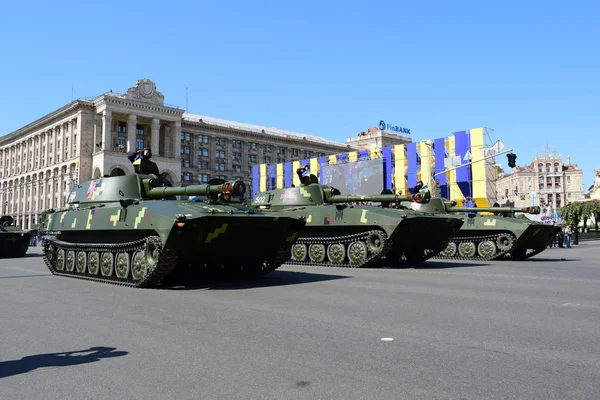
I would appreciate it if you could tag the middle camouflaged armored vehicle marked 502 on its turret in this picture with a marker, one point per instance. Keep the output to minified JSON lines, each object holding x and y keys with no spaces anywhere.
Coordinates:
{"x":341,"y":233}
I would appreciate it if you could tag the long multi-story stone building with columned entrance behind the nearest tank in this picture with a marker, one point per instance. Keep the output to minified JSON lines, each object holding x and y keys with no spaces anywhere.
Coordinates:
{"x":88,"y":138}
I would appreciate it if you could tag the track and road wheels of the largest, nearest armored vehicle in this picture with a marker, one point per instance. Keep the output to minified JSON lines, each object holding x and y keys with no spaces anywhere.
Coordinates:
{"x":166,"y":261}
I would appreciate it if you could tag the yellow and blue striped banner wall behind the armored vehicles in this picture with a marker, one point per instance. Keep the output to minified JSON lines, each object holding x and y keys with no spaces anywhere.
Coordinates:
{"x":403,"y":166}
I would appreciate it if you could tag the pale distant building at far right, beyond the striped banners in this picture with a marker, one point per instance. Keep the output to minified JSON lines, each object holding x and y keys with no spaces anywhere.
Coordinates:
{"x":545,"y":182}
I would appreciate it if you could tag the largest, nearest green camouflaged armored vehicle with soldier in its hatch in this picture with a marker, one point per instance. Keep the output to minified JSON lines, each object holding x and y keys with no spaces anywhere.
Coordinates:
{"x":131,"y":230}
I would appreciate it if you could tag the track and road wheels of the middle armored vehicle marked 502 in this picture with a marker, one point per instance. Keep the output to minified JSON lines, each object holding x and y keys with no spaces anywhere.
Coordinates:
{"x":371,"y":259}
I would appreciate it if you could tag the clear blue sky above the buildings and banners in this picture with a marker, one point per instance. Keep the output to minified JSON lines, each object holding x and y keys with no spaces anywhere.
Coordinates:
{"x":528,"y":70}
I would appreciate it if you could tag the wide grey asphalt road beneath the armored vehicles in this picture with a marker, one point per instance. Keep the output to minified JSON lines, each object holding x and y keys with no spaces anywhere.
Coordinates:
{"x":493,"y":330}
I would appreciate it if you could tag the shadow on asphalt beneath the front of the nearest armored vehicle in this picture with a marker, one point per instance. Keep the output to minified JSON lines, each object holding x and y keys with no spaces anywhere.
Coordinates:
{"x":275,"y":278}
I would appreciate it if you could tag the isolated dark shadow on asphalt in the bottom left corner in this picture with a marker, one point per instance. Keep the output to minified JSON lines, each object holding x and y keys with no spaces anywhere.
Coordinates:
{"x":30,"y":363}
